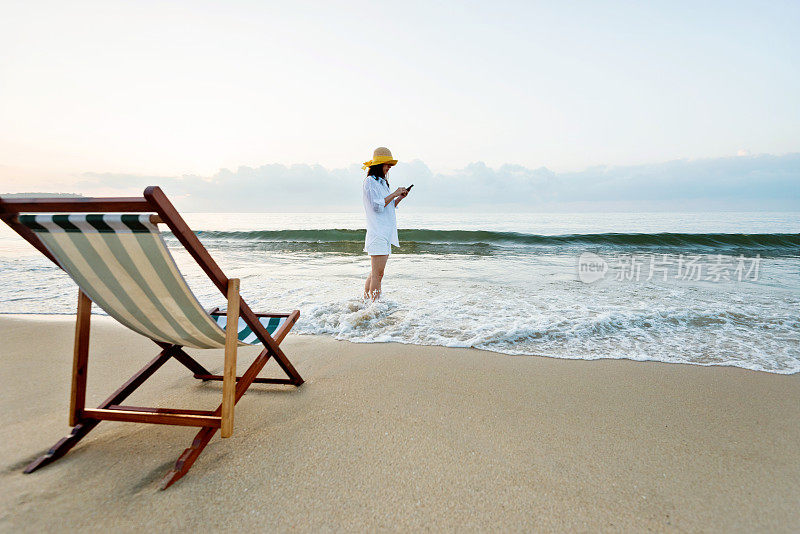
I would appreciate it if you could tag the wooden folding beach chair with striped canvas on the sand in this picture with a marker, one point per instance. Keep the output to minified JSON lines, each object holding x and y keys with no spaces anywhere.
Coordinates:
{"x":113,"y":250}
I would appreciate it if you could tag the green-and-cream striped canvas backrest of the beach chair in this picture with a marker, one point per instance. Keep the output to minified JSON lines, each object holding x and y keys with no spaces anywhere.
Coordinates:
{"x":121,"y":262}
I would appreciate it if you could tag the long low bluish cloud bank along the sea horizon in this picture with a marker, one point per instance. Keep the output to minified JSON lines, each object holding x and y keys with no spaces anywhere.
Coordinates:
{"x":741,"y":182}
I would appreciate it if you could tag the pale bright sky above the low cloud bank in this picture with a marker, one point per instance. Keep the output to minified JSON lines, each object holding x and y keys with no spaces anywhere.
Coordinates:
{"x":194,"y":91}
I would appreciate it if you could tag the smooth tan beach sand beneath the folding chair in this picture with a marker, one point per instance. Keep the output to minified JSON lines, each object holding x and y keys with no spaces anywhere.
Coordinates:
{"x":397,"y":437}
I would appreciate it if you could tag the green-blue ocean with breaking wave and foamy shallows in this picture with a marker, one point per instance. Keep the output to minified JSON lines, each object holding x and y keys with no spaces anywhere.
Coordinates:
{"x":694,"y":288}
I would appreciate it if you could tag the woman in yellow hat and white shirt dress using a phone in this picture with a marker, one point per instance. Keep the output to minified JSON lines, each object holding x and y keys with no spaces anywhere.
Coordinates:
{"x":379,"y":206}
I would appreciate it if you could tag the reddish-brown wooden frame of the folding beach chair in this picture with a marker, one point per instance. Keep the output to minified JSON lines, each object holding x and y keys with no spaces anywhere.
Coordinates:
{"x":83,"y":419}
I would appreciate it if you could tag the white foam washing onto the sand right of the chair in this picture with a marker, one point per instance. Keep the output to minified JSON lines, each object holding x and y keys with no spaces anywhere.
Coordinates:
{"x":665,"y":335}
